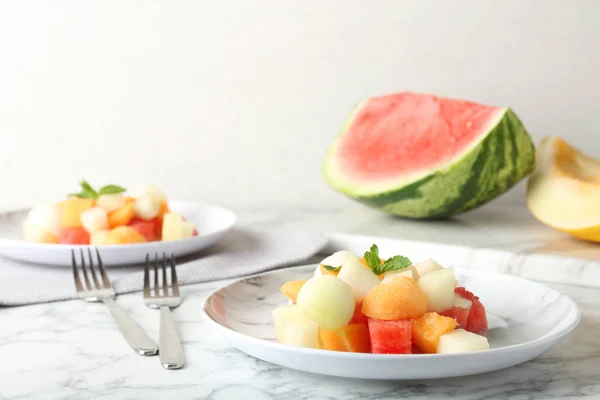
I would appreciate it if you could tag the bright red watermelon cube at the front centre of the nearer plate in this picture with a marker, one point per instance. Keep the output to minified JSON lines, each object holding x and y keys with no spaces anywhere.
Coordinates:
{"x":390,"y":337}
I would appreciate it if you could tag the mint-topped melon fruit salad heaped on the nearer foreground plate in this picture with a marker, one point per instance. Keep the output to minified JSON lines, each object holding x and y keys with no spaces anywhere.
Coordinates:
{"x":374,"y":305}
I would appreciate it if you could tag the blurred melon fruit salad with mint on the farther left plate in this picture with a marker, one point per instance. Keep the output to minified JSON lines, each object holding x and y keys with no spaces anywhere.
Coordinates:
{"x":107,"y":216}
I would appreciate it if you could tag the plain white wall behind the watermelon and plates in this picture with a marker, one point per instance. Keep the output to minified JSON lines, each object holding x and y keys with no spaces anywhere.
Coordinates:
{"x":236,"y":101}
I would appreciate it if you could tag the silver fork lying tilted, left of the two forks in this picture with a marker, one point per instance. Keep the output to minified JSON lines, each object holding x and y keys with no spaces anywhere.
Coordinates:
{"x":104,"y":292}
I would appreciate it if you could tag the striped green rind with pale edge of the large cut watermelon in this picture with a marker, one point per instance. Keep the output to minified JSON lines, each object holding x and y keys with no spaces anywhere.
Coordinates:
{"x":502,"y":157}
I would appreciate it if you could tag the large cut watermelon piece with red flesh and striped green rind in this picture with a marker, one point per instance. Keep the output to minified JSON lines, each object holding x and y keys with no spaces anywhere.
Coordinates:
{"x":422,"y":156}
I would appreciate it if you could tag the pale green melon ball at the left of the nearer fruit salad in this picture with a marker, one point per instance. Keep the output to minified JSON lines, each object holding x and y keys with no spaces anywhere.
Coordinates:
{"x":327,"y":300}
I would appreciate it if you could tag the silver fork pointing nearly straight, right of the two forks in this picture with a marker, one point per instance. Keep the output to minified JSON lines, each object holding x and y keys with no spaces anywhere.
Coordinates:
{"x":164,"y":297}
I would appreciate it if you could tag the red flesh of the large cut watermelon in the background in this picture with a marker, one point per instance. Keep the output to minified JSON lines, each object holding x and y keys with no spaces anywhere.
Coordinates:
{"x":403,"y":133}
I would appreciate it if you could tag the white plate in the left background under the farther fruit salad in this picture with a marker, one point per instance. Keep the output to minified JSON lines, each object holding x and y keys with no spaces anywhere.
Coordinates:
{"x":212,"y":222}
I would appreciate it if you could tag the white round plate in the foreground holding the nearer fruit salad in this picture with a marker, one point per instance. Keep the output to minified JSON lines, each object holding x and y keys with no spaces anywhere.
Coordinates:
{"x":525,"y":319}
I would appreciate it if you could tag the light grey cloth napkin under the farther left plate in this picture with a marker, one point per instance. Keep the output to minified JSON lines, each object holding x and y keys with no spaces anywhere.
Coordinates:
{"x":242,"y":252}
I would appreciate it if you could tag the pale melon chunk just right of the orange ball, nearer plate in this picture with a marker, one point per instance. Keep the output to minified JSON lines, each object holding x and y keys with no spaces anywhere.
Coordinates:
{"x":439,"y":289}
